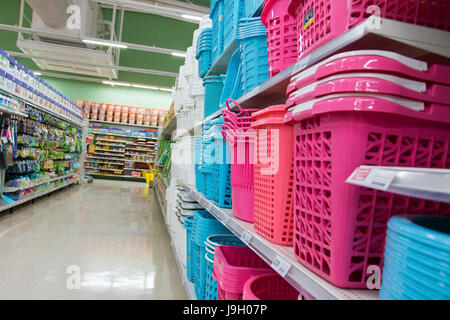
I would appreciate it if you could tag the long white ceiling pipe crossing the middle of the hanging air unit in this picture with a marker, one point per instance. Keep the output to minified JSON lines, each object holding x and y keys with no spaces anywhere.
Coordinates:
{"x":132,"y":46}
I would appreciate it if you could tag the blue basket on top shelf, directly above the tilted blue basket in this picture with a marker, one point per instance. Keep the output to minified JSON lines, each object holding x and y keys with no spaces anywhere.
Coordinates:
{"x":233,"y":11}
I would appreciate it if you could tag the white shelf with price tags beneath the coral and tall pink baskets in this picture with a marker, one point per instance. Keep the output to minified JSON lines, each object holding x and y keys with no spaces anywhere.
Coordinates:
{"x":281,"y":258}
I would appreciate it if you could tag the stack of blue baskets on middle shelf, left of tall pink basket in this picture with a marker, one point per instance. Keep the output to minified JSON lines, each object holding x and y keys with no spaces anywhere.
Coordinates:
{"x":215,"y":168}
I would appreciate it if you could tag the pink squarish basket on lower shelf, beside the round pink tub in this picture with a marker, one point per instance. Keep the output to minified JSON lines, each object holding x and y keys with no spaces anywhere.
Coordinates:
{"x":233,"y":266}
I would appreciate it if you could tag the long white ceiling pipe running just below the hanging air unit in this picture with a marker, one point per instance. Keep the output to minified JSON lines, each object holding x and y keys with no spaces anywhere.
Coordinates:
{"x":93,"y":65}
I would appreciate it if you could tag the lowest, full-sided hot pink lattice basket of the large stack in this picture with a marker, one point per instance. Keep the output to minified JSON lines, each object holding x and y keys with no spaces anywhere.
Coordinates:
{"x":339,"y":228}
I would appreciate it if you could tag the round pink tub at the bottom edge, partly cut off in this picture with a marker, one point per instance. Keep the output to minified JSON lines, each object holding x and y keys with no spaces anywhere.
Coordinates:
{"x":269,"y":287}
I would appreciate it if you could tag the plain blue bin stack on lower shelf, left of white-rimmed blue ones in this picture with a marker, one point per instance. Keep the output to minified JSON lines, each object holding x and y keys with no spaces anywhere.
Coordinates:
{"x":204,"y":225}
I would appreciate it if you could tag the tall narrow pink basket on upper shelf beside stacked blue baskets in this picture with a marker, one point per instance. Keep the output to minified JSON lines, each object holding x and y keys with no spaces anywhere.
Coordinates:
{"x":281,"y":35}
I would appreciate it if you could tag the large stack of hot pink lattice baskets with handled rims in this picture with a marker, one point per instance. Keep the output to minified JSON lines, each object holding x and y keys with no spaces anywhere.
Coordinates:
{"x":361,"y":108}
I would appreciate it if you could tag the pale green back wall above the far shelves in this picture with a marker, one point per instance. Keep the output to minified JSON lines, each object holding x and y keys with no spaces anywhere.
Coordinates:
{"x":91,"y":91}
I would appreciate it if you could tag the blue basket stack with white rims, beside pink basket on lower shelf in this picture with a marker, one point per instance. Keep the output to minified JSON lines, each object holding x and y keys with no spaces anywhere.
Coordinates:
{"x":211,"y":243}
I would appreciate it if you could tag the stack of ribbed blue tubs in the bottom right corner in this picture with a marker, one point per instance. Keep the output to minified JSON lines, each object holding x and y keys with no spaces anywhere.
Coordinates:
{"x":417,"y":259}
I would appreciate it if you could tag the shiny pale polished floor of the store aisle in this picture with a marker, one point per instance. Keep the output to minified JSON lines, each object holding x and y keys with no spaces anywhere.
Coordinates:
{"x":104,"y":240}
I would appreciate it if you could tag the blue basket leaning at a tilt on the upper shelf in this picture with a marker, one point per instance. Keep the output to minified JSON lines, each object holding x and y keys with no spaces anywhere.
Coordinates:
{"x":233,"y":83}
